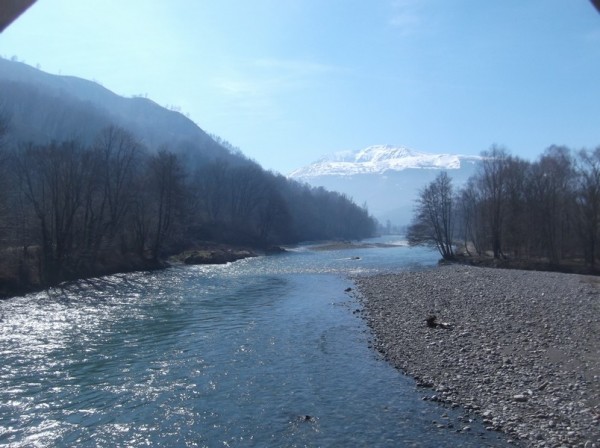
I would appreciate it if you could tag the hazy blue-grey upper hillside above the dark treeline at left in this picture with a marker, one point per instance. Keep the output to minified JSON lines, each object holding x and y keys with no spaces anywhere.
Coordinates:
{"x":45,"y":107}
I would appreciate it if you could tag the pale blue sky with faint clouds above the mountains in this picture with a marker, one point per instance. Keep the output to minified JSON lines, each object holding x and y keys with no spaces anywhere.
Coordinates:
{"x":288,"y":81}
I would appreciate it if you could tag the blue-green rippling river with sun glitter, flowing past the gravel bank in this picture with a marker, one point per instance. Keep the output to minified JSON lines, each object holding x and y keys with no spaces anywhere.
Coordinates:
{"x":261,"y":352}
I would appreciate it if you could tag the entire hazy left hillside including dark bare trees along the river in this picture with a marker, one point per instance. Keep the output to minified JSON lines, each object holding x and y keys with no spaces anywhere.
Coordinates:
{"x":97,"y":183}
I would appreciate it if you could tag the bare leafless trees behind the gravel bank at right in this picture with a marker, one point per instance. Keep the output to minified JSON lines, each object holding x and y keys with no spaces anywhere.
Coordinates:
{"x":547,"y":210}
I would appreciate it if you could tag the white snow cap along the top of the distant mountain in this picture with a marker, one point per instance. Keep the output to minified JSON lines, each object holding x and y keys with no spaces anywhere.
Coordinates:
{"x":378,"y":159}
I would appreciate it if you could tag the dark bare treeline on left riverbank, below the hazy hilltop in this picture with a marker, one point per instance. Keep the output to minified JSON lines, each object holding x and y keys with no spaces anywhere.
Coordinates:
{"x":69,"y":210}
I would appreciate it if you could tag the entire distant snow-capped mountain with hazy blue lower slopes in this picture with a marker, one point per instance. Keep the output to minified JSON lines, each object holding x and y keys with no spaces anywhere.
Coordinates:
{"x":387,"y":178}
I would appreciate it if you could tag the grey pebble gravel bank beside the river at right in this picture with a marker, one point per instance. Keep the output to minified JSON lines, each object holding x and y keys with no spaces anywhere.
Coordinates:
{"x":523,"y":350}
